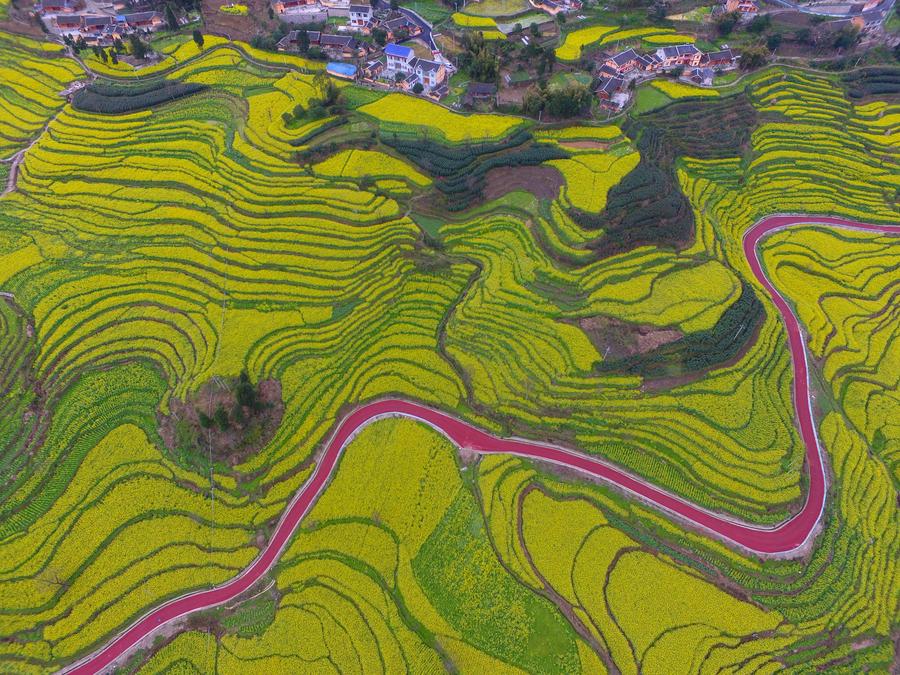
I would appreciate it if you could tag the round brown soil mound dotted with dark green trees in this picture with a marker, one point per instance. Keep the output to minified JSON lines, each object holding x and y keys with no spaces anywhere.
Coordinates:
{"x":227,"y":420}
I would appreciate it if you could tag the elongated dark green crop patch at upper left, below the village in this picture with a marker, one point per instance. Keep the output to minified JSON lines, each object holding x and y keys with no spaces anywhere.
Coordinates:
{"x":116,"y":99}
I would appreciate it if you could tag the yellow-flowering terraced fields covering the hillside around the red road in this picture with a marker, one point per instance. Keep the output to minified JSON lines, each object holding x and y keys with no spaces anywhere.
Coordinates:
{"x":144,"y":255}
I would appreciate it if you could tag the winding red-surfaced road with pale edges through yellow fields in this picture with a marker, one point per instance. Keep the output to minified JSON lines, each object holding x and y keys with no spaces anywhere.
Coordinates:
{"x":783,"y":538}
